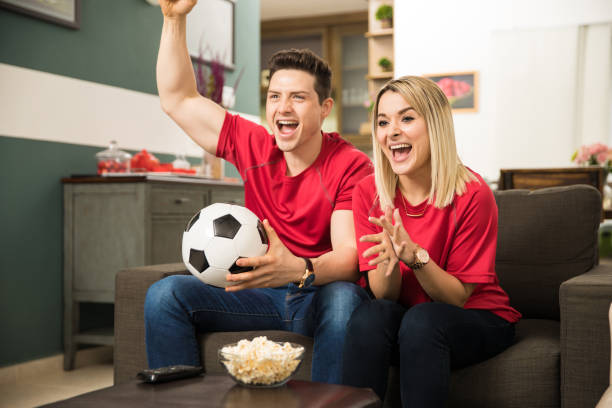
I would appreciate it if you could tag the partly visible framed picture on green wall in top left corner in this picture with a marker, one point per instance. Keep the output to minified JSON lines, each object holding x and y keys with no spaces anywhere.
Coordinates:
{"x":63,"y":12}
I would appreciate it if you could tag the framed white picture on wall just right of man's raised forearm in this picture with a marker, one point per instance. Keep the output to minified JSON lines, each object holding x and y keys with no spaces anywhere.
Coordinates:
{"x":210,"y":32}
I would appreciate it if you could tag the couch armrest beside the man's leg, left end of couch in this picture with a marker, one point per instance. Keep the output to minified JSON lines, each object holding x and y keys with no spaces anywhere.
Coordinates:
{"x":131,"y":287}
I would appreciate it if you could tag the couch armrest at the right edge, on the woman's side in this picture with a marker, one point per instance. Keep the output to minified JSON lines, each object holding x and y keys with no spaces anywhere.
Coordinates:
{"x":585,"y":337}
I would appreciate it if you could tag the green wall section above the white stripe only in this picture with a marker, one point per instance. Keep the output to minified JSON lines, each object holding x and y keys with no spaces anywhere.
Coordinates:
{"x":117,"y":45}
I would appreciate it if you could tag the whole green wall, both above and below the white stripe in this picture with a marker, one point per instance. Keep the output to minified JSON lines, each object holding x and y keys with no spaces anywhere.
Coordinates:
{"x":116,"y":45}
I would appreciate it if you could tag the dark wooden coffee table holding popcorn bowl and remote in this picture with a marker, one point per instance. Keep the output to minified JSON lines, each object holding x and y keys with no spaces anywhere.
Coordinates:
{"x":221,"y":391}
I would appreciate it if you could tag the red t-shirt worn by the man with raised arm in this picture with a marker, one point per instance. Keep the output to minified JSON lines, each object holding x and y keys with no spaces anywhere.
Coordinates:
{"x":299,"y":208}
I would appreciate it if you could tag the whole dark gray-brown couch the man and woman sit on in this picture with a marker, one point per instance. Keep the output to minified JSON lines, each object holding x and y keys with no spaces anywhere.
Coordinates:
{"x":547,"y":261}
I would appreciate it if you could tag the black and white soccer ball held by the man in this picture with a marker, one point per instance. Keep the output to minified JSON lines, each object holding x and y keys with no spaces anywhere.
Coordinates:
{"x":216,"y":237}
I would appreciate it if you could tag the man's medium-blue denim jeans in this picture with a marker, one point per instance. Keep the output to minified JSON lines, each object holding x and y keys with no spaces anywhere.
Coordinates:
{"x":179,"y":307}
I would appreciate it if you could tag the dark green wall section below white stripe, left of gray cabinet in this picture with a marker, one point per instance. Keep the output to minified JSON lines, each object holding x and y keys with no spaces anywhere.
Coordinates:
{"x":31,"y":279}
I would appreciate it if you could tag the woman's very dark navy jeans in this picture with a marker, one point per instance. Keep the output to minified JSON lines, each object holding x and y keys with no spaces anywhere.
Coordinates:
{"x":426,"y":341}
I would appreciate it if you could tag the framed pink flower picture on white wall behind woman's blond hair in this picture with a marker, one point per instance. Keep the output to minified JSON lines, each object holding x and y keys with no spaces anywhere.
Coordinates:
{"x":461,"y":89}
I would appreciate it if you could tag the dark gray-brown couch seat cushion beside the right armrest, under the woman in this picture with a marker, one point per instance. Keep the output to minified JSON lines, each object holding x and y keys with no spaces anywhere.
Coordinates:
{"x":525,"y":375}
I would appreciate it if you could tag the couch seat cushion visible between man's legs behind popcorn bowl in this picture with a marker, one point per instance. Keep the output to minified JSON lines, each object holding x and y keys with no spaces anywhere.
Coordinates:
{"x":210,"y":344}
